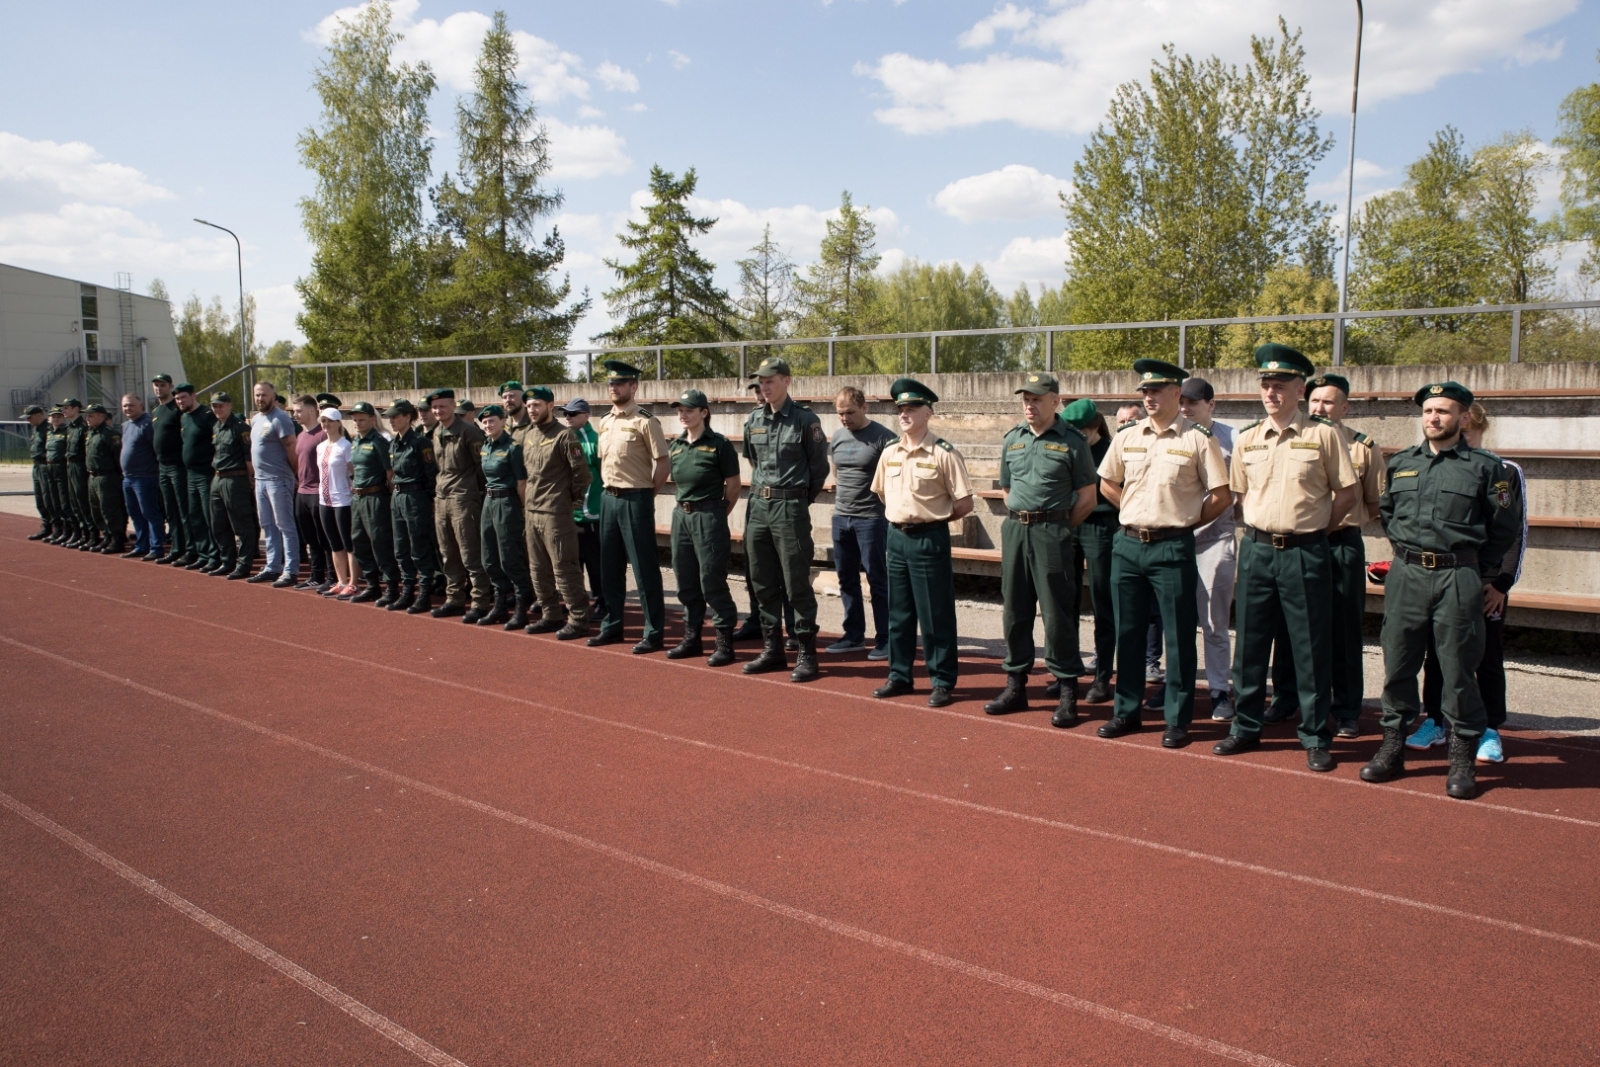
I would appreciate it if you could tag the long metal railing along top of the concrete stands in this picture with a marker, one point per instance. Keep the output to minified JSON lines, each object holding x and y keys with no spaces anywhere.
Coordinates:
{"x":932,"y":338}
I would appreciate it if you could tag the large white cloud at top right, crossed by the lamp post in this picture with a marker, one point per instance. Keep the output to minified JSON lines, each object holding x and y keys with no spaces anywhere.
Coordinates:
{"x":1086,"y":50}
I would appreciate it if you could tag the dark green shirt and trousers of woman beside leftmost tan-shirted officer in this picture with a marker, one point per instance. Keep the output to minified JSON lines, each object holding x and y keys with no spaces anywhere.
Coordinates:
{"x":700,"y":527}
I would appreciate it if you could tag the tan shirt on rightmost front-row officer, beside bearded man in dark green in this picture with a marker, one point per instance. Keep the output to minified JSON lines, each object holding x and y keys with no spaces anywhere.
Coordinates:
{"x":1287,"y":479}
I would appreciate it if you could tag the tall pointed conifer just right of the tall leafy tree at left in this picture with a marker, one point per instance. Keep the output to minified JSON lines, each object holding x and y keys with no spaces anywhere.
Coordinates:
{"x":495,"y":287}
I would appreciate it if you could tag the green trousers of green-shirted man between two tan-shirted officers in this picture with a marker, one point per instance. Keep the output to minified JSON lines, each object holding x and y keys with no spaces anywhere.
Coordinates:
{"x":1034,"y":580}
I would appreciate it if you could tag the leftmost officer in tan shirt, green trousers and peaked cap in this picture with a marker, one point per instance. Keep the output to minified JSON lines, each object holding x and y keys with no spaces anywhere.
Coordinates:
{"x":633,"y":466}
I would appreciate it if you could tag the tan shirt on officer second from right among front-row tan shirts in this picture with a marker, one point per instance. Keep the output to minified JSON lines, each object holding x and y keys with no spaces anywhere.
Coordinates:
{"x":1166,"y":476}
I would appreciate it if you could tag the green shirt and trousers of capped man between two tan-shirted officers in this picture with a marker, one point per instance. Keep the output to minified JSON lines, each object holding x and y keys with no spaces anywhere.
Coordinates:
{"x":1042,"y":476}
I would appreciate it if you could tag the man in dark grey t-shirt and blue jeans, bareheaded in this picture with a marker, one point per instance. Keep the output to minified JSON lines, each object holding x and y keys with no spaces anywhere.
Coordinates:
{"x":860,"y":527}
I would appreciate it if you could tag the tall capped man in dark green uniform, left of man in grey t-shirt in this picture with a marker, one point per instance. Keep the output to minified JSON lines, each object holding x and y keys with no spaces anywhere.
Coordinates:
{"x":788,"y":455}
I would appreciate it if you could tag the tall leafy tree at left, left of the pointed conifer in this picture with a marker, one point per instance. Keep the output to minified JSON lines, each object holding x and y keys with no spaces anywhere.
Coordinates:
{"x":370,"y":158}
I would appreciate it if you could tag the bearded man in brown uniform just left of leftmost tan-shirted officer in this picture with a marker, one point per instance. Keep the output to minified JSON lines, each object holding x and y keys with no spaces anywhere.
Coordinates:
{"x":558,"y":484}
